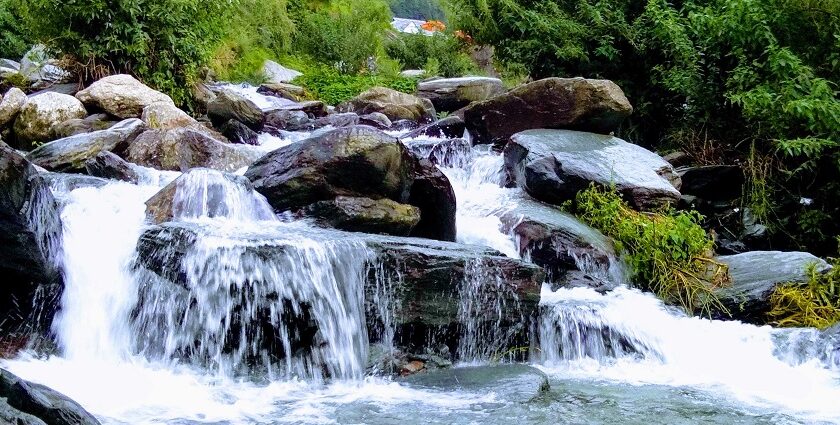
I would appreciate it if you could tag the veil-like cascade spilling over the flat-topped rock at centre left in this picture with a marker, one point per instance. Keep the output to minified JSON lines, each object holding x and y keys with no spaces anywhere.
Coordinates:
{"x":241,"y":302}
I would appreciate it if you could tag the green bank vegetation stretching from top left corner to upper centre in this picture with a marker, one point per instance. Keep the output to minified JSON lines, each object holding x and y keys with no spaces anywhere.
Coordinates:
{"x":171,"y":44}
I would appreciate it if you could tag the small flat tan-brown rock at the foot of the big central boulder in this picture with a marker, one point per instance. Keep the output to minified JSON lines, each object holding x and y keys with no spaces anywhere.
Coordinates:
{"x":366,"y":215}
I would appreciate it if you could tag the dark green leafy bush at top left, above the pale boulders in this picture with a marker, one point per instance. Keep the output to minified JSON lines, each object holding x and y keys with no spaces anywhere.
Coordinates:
{"x":163,"y":42}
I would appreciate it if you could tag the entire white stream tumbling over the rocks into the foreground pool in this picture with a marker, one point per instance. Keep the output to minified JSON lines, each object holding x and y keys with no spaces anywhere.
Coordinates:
{"x":134,"y":350}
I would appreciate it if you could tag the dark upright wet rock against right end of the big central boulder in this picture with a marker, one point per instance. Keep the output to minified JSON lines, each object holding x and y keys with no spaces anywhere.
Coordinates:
{"x":432,"y":192}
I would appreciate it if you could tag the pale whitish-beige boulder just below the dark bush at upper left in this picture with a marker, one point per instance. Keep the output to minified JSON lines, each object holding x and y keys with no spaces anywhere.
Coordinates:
{"x":121,"y":96}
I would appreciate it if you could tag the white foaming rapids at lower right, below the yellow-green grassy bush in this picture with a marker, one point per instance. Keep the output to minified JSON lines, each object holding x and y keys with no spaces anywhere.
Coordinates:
{"x":727,"y":358}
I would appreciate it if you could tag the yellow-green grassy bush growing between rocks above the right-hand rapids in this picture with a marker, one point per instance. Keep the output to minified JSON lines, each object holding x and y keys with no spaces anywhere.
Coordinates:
{"x":668,"y":252}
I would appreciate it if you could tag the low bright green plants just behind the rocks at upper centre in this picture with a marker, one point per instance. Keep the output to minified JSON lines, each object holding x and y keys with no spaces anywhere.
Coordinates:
{"x":332,"y":87}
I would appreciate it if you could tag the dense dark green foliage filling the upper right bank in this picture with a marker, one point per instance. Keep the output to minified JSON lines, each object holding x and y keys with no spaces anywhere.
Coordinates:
{"x":732,"y":76}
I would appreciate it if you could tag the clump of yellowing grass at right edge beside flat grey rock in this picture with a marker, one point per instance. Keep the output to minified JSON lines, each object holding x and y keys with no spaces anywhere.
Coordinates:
{"x":815,"y":303}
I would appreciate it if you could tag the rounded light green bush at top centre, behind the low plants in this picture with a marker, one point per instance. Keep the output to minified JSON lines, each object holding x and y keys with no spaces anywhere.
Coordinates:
{"x":347,"y":35}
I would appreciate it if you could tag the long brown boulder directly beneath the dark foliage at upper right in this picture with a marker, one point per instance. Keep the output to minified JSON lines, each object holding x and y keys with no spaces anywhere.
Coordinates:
{"x":597,"y":106}
